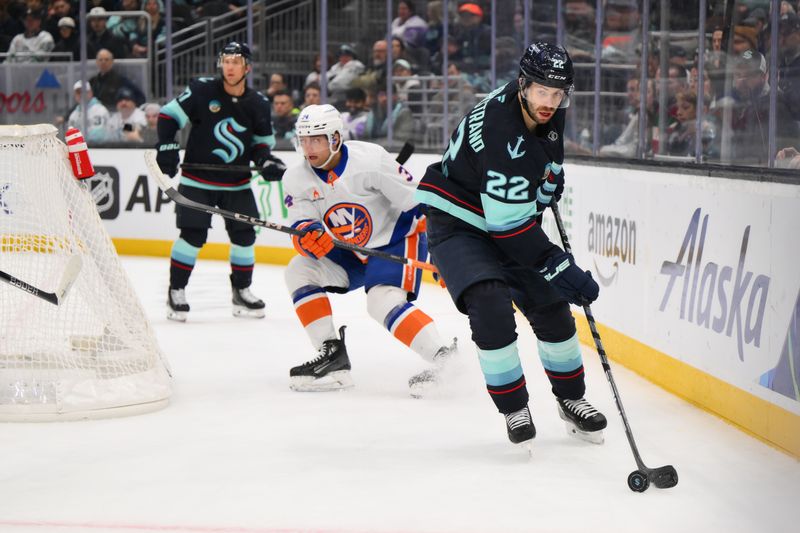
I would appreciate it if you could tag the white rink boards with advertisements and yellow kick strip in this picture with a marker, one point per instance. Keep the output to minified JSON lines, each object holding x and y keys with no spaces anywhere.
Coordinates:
{"x":698,"y":275}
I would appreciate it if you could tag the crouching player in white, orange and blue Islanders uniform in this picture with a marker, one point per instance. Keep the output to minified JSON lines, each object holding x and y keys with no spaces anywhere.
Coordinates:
{"x":355,"y":192}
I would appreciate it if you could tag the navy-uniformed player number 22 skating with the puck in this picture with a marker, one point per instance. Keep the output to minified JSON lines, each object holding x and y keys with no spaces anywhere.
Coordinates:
{"x":485,"y":200}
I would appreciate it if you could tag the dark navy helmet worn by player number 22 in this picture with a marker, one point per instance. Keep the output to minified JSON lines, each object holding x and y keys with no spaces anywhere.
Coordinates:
{"x":549,"y":65}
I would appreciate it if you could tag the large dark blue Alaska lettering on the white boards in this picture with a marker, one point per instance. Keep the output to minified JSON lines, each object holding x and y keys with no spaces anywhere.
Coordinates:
{"x":721,"y":297}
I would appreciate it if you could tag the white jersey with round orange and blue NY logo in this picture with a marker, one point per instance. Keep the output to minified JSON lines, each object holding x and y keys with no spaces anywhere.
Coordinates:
{"x":367,"y":200}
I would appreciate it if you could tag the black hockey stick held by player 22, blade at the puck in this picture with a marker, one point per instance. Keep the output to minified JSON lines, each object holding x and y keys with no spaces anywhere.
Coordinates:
{"x":663,"y":477}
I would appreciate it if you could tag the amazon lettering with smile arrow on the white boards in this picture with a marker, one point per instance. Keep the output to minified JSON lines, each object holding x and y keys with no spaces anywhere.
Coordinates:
{"x":612,"y":240}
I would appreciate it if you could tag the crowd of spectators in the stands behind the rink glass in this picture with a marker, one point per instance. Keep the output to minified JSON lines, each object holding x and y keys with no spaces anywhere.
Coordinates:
{"x":736,"y":89}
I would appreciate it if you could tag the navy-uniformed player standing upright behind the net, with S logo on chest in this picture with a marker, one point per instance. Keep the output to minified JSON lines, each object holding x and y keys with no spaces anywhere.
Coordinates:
{"x":230,"y":125}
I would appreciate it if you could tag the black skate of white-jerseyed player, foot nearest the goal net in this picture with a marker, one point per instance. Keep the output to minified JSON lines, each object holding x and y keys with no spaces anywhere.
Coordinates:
{"x":329,"y":371}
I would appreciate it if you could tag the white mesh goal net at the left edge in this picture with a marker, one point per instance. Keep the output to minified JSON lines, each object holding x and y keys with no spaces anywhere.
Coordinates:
{"x":94,"y":355}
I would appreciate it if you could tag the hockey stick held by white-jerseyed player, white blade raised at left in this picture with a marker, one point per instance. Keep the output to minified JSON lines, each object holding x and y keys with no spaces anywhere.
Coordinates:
{"x":165,"y":184}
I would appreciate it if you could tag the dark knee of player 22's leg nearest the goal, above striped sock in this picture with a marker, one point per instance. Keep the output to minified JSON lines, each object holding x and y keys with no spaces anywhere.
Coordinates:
{"x":491,"y":314}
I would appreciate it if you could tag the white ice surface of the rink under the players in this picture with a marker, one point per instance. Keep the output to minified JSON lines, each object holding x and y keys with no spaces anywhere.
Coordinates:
{"x":237,"y":451}
